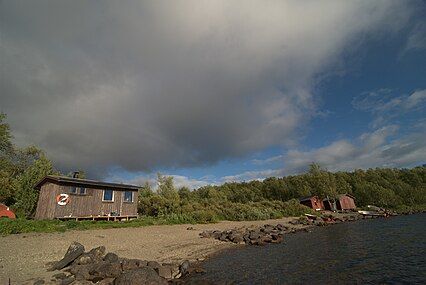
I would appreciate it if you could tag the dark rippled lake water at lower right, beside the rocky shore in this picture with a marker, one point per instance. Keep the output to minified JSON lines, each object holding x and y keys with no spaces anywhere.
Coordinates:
{"x":380,"y":251}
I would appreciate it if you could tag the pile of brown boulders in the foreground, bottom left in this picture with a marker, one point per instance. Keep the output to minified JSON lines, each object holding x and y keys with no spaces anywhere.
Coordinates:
{"x":96,"y":267}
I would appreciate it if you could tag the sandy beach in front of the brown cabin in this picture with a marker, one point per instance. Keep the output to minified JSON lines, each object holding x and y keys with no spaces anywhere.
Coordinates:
{"x":24,"y":256}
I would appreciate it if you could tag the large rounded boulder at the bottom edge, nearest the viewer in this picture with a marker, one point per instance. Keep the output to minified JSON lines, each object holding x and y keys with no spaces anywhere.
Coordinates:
{"x":140,"y":276}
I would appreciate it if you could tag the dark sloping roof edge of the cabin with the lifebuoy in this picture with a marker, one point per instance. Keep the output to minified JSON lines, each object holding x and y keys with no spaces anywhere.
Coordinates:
{"x":84,"y":182}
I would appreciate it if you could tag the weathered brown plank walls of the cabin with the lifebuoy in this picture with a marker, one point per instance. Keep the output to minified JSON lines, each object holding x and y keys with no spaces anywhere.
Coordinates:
{"x":90,"y":204}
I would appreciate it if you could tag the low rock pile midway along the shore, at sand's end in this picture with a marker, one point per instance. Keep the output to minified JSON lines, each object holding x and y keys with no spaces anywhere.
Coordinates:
{"x":251,"y":236}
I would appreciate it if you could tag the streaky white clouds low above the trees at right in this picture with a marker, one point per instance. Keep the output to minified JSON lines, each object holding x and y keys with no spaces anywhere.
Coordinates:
{"x":375,"y":149}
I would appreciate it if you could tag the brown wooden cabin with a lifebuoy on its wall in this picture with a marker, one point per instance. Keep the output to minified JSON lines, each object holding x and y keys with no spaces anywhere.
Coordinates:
{"x":73,"y":198}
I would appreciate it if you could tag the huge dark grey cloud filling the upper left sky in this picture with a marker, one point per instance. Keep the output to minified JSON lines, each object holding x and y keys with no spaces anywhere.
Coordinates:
{"x":141,"y":85}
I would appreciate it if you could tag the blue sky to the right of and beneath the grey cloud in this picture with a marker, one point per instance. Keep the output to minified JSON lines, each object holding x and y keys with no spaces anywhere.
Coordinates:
{"x":382,"y":65}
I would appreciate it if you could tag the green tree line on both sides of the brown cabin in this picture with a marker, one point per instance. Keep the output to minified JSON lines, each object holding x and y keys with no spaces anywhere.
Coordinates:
{"x":22,"y":168}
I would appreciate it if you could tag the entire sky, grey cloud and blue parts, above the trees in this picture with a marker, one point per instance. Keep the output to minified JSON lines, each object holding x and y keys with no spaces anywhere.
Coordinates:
{"x":215,"y":91}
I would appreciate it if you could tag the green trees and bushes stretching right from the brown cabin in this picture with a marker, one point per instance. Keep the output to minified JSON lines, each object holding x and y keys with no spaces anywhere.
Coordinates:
{"x":274,"y":197}
